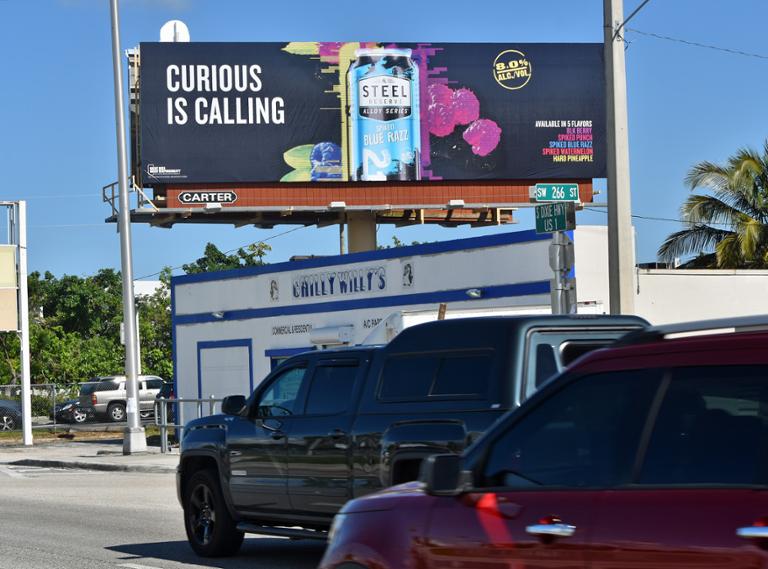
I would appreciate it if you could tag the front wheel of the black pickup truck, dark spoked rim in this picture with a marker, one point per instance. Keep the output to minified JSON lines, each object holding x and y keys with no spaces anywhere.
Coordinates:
{"x":211,"y":531}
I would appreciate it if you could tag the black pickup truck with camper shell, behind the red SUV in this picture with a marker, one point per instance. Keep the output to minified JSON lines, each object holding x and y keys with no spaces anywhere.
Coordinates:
{"x":331,"y":425}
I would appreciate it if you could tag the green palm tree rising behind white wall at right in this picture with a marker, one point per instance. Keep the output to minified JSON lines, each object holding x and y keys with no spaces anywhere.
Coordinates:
{"x":727,"y":229}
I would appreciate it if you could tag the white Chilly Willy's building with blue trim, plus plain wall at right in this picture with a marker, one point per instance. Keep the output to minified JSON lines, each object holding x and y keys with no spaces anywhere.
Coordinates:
{"x":231,"y":327}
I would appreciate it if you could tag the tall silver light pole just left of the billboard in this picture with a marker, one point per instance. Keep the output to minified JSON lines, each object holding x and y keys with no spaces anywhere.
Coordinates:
{"x":134,"y":438}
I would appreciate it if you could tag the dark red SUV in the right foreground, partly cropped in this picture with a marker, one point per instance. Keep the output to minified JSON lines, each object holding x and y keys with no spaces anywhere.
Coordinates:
{"x":650,"y":454}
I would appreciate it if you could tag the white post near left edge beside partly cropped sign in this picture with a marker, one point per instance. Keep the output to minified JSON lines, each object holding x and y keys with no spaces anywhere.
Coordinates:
{"x":26,"y":397}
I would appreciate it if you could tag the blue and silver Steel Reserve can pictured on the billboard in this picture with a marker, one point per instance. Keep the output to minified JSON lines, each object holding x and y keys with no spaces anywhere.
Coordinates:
{"x":384,"y":119}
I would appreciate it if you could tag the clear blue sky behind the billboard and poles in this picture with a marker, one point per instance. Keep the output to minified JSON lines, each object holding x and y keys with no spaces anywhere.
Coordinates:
{"x":57,"y":135}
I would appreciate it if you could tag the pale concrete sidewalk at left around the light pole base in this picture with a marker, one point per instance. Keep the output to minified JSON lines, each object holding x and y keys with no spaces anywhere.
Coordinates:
{"x":97,"y":455}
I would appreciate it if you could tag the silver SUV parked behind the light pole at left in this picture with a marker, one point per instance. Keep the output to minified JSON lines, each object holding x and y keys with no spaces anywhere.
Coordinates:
{"x":107,"y":396}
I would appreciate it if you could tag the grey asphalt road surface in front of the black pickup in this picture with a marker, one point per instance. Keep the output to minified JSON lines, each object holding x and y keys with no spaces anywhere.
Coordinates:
{"x":87,"y":520}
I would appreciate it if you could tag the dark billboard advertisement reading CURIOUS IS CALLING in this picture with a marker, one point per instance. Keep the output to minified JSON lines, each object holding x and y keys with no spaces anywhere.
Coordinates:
{"x":240,"y":113}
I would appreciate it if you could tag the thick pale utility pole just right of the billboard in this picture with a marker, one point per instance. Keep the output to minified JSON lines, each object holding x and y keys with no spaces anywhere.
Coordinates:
{"x":621,"y":252}
